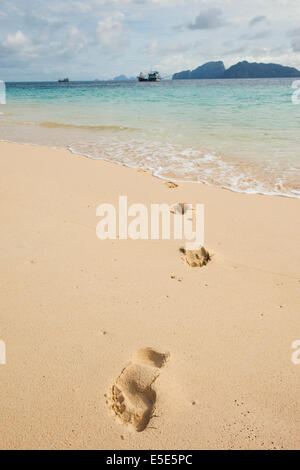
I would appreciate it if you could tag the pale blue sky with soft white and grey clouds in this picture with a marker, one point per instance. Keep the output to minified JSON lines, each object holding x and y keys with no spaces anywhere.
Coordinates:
{"x":101,"y":39}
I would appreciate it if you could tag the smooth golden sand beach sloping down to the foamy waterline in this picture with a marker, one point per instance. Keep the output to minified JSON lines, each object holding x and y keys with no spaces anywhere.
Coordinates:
{"x":75,"y":310}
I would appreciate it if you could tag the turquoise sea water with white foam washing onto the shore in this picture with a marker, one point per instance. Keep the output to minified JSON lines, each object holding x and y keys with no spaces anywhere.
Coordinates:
{"x":243,"y":135}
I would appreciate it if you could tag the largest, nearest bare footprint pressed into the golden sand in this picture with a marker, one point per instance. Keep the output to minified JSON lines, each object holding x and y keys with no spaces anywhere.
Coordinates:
{"x":132,"y":396}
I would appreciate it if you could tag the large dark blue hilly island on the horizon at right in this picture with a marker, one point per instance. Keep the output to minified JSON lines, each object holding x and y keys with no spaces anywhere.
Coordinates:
{"x":243,"y":69}
